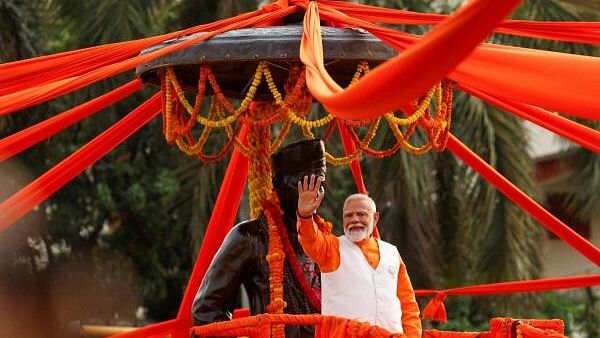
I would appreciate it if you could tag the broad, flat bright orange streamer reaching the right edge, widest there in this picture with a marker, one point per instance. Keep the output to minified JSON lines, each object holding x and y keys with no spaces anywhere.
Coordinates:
{"x":554,"y":81}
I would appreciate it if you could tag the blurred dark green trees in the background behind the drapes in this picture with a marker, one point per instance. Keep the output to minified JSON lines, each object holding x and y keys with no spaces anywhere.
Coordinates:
{"x":134,"y":221}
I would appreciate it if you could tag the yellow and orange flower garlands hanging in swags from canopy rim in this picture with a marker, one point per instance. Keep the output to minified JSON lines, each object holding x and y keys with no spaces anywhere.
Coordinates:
{"x":292,"y":108}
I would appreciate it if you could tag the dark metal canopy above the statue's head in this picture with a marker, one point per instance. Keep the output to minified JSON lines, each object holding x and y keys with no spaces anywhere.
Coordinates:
{"x":233,"y":56}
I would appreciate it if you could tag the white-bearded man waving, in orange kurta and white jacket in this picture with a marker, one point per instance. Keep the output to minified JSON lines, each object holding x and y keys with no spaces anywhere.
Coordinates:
{"x":362,"y":277}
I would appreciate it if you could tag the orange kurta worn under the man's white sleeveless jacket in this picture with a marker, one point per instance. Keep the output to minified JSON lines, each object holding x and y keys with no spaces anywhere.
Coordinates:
{"x":324,"y":249}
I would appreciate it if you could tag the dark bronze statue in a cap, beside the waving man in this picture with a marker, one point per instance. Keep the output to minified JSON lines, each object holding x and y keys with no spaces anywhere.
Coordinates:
{"x":241,"y":258}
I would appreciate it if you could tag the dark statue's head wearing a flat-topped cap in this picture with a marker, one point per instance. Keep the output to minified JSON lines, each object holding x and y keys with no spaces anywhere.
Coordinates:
{"x":291,"y":163}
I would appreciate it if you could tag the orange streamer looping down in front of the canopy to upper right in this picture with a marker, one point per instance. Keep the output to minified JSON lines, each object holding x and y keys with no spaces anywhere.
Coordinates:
{"x":420,"y":66}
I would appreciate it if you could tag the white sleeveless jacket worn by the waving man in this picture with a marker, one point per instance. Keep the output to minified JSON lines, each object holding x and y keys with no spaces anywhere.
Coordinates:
{"x":357,"y":291}
